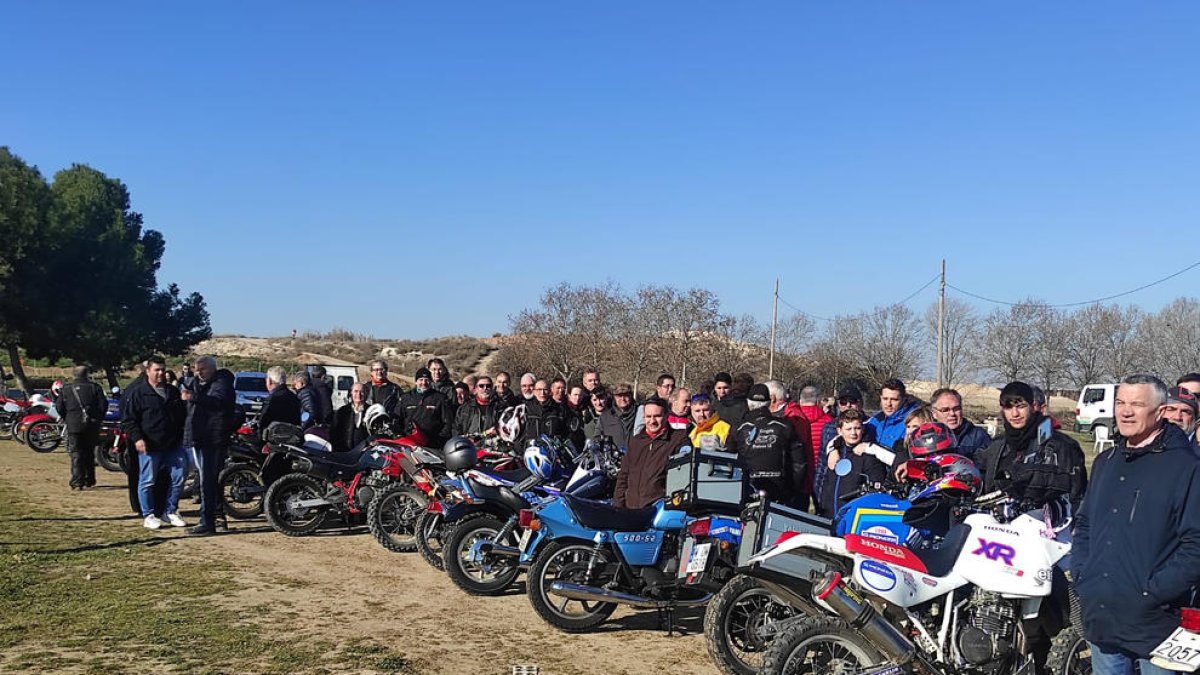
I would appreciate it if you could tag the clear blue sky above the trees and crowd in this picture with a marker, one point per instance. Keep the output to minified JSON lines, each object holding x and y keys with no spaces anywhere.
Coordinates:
{"x":416,"y":170}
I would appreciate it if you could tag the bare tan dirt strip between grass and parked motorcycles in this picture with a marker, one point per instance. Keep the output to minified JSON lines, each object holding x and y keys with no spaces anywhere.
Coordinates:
{"x":343,"y":587}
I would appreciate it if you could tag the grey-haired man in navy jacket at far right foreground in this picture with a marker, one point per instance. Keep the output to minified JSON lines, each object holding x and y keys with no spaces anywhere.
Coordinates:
{"x":1136,"y":558}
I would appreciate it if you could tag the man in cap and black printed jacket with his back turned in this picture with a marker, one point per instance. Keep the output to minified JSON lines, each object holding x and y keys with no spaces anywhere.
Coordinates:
{"x":772,"y":455}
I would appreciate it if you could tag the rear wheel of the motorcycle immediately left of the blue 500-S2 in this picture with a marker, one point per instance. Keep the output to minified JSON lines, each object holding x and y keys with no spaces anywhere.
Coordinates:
{"x":479,"y":575}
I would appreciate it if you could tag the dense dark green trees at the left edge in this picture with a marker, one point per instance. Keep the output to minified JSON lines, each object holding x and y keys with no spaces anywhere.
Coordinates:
{"x":79,"y":274}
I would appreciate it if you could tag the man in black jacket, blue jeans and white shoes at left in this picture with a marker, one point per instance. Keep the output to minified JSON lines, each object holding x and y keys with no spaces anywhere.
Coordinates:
{"x":153,"y":419}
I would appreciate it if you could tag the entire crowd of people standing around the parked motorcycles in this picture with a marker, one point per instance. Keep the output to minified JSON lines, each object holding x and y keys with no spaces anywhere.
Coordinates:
{"x":1137,"y":525}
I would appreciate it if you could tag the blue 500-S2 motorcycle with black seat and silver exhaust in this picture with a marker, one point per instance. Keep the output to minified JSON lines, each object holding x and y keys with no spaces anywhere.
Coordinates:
{"x":589,"y":557}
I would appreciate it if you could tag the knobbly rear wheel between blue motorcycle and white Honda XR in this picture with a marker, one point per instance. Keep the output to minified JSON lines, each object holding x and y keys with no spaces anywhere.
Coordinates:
{"x":735,"y":623}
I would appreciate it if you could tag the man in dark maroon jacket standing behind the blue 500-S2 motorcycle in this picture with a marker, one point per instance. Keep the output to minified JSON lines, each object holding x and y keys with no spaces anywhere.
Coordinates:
{"x":643,"y":479}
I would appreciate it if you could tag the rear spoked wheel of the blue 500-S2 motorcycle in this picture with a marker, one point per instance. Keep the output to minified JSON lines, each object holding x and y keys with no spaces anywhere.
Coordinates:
{"x":567,"y":563}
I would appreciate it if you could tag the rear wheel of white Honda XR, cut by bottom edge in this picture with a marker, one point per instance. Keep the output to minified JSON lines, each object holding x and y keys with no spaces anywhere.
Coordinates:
{"x":821,"y":647}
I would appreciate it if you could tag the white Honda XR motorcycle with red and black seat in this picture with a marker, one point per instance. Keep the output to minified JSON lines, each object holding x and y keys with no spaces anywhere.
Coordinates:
{"x":953,"y":610}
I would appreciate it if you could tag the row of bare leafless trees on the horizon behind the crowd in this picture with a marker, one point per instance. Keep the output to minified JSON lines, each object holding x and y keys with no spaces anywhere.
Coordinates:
{"x":634,"y":336}
